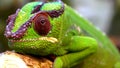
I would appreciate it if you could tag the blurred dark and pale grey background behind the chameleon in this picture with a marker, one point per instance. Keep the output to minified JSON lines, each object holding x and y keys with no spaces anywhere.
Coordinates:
{"x":107,"y":21}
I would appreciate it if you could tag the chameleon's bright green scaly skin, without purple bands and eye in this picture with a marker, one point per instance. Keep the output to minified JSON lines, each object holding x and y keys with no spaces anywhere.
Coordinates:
{"x":66,"y":40}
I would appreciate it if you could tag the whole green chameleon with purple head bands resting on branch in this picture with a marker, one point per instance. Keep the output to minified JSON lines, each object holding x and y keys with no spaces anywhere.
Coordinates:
{"x":53,"y":28}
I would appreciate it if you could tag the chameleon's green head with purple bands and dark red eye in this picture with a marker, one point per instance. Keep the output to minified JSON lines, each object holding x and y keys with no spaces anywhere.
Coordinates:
{"x":35,"y":28}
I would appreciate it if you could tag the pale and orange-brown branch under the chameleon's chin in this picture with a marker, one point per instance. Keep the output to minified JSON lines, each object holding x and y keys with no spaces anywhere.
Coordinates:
{"x":11,"y":59}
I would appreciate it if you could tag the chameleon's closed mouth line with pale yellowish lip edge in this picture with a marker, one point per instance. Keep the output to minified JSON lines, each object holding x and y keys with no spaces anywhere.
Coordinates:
{"x":49,"y":39}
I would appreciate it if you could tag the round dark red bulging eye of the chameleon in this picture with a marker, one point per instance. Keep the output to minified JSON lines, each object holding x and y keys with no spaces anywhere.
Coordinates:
{"x":41,"y":24}
